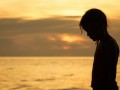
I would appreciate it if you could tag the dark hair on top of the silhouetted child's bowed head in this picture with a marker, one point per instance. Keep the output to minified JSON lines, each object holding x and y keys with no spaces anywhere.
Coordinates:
{"x":94,"y":17}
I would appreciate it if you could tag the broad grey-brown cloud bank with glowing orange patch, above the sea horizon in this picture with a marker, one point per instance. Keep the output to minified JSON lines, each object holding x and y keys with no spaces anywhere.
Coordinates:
{"x":57,"y":36}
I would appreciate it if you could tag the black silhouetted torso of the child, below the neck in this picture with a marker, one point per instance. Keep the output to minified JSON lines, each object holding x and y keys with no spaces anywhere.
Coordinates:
{"x":105,"y":61}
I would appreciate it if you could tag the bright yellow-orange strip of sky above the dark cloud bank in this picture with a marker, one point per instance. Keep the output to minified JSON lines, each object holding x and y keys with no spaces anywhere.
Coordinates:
{"x":34,"y":9}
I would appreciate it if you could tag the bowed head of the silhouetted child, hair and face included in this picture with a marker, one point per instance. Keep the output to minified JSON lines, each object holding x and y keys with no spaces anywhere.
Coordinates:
{"x":94,"y":22}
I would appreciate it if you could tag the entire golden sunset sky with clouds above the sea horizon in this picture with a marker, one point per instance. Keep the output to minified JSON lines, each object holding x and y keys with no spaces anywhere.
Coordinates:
{"x":50,"y":27}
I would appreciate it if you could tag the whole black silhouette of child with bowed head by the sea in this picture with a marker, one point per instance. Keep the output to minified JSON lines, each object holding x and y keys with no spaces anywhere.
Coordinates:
{"x":94,"y":22}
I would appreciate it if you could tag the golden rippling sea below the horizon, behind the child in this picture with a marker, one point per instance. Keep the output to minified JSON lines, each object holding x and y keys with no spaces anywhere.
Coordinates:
{"x":47,"y":73}
